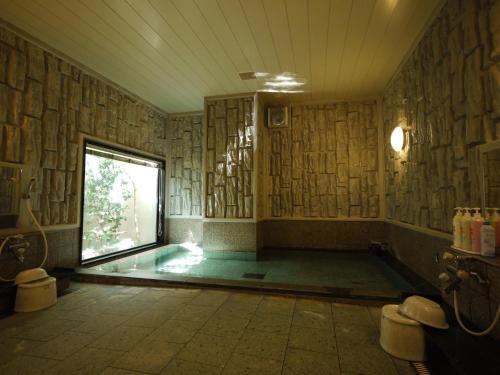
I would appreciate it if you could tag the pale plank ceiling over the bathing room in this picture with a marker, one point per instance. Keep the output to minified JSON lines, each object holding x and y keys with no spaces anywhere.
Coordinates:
{"x":175,"y":52}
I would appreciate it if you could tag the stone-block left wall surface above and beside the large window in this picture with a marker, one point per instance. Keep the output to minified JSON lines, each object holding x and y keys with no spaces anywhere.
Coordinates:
{"x":45,"y":102}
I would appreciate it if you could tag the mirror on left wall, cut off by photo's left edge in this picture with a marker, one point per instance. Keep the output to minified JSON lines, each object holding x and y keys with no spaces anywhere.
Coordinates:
{"x":10,"y":177}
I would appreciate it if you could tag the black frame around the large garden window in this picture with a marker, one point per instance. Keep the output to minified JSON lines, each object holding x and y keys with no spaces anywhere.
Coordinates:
{"x":160,"y":212}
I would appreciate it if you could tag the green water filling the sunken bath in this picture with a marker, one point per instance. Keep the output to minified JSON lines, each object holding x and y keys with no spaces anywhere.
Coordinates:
{"x":354,"y":270}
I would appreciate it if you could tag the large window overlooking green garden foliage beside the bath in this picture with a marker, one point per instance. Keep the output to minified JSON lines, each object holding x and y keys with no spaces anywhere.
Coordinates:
{"x":122,"y":202}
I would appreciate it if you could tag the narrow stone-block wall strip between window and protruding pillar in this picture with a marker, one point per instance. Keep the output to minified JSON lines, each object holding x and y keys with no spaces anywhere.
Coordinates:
{"x":185,"y":164}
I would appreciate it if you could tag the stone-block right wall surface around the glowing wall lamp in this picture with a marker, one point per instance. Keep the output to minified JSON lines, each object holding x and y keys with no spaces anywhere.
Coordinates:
{"x":448,"y":96}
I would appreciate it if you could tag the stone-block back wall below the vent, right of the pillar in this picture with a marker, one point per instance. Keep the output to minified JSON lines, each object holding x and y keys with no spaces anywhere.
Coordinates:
{"x":325,"y":163}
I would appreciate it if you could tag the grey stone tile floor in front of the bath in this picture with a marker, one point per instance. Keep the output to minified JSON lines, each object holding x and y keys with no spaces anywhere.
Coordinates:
{"x":105,"y":329}
